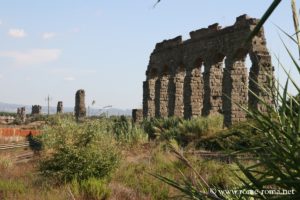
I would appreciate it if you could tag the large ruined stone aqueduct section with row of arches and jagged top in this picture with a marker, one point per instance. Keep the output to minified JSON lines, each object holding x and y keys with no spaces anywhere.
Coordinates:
{"x":207,"y":74}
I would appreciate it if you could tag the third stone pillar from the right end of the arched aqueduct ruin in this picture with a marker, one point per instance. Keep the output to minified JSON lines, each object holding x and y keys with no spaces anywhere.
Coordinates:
{"x":212,"y":99}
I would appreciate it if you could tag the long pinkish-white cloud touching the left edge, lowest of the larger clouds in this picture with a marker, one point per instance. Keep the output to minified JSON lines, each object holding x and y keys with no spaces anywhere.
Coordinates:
{"x":33,"y":56}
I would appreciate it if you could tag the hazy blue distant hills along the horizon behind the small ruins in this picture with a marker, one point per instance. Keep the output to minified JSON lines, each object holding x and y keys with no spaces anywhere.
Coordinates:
{"x":7,"y":107}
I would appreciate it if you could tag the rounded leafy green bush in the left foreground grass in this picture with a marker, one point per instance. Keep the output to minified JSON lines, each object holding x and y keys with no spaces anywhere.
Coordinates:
{"x":78,"y":151}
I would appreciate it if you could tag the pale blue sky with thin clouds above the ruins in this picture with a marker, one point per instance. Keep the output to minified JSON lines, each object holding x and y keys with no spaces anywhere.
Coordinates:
{"x":56,"y":47}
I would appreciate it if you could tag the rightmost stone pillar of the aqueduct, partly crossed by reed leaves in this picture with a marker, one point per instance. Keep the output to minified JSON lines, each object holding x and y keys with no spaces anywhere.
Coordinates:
{"x":261,"y":78}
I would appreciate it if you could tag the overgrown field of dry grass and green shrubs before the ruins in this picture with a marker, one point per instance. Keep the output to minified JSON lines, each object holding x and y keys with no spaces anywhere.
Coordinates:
{"x":114,"y":159}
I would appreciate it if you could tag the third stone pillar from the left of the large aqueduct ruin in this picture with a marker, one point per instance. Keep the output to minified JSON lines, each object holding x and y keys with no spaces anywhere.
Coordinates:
{"x":178,"y":94}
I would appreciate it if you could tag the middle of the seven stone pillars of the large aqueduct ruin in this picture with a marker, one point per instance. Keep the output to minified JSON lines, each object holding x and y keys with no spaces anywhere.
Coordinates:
{"x":193,"y":93}
